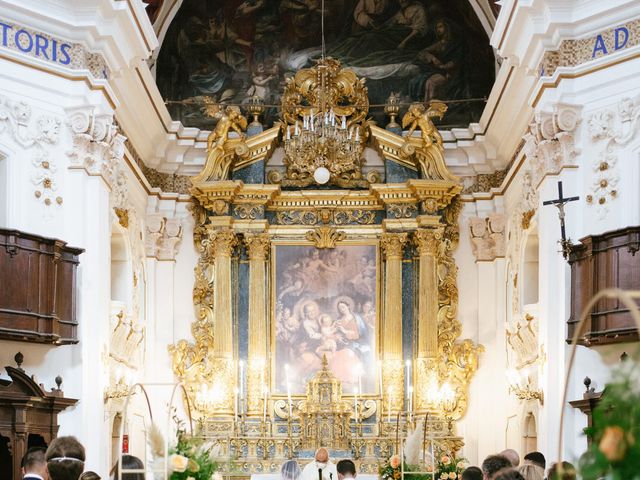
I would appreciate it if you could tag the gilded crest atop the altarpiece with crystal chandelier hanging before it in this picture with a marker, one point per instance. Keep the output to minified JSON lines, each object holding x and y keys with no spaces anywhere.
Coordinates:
{"x":323,"y":112}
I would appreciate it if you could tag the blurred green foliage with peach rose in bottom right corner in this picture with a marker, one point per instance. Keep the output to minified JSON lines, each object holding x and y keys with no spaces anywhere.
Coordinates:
{"x":614,"y":453}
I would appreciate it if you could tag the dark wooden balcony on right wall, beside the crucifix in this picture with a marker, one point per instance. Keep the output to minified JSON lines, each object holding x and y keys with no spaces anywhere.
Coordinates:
{"x":609,"y":260}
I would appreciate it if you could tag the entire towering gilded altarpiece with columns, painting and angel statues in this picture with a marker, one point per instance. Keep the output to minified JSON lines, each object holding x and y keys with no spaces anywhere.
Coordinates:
{"x":292,"y":282}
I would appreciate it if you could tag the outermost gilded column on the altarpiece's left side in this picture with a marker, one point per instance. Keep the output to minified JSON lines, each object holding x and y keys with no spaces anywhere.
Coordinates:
{"x":221,"y":245}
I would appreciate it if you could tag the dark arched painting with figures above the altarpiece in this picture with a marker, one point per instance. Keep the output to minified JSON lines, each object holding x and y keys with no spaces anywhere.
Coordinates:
{"x":232,"y":50}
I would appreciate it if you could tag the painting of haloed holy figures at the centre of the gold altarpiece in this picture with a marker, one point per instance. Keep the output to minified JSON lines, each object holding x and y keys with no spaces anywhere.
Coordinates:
{"x":325,"y":302}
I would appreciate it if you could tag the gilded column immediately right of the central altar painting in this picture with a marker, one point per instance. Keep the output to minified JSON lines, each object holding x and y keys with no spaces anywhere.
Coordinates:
{"x":392,"y":367}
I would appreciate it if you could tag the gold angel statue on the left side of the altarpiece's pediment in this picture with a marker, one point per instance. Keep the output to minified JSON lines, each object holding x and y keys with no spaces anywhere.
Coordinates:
{"x":228,"y":118}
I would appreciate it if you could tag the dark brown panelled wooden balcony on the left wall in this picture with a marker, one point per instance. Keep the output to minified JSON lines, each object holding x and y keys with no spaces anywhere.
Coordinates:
{"x":37,"y":288}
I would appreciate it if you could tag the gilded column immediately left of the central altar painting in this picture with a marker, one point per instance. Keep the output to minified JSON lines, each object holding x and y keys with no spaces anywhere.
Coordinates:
{"x":258,"y":250}
